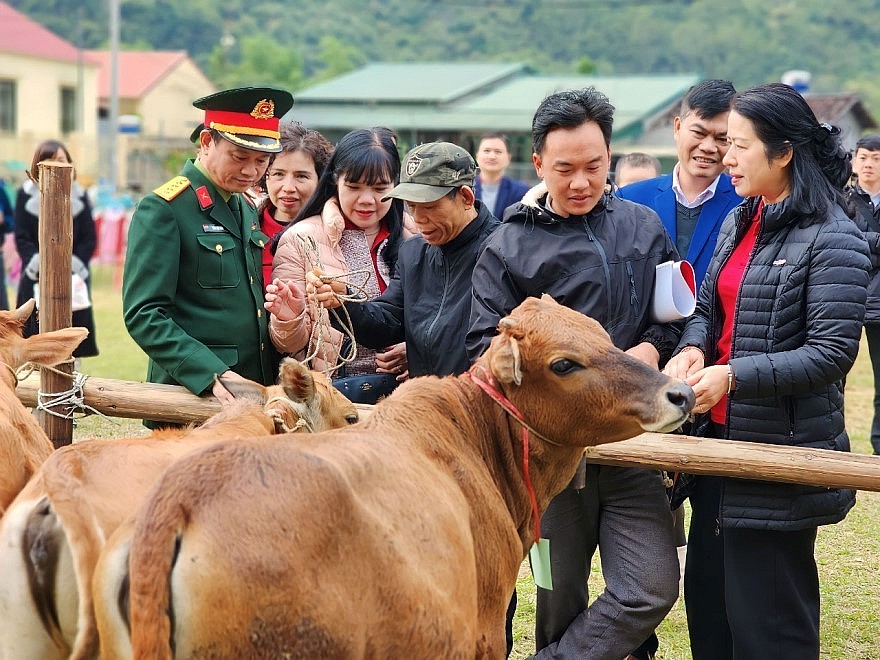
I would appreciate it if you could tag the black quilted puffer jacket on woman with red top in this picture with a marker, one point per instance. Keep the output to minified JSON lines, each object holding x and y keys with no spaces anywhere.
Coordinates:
{"x":796,"y":334}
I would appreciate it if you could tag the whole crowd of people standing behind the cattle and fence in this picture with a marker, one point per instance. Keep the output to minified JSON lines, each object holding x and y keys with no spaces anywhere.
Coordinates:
{"x":375,"y":269}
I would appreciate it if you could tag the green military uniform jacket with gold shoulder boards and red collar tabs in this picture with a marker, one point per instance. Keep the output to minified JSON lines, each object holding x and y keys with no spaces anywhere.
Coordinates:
{"x":193,"y":287}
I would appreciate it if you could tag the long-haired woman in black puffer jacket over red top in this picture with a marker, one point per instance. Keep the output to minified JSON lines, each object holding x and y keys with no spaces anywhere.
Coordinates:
{"x":776,"y":329}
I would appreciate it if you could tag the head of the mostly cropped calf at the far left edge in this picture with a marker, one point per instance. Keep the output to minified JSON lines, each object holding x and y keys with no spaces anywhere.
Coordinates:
{"x":47,"y":348}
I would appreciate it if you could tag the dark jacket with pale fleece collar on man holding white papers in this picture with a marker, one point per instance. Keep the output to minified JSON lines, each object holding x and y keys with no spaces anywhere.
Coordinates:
{"x":601,"y":264}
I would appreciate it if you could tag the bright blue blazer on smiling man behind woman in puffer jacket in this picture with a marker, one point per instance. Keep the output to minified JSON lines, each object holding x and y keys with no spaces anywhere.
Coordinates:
{"x":657,"y":194}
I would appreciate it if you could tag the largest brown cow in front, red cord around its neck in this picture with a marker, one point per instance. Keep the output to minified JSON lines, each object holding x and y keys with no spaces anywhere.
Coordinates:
{"x":400,"y":537}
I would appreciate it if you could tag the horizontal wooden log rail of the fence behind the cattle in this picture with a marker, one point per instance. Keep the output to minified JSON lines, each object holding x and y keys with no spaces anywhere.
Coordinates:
{"x":677,"y":453}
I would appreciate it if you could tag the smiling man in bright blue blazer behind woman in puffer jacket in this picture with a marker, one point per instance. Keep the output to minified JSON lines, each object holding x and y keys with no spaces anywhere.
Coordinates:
{"x":693,"y":201}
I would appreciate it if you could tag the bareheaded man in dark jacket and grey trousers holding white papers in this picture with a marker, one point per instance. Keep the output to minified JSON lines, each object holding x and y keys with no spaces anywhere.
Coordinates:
{"x":597,"y":254}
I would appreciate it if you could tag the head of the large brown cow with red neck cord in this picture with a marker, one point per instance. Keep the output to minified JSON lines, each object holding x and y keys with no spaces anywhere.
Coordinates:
{"x":572,"y":385}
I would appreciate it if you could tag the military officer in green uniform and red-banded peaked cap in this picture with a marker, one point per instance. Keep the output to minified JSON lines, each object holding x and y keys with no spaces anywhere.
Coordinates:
{"x":193,"y":289}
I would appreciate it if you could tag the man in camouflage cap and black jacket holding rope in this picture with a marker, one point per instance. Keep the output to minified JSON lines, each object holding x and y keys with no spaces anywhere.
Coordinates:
{"x":428,"y":301}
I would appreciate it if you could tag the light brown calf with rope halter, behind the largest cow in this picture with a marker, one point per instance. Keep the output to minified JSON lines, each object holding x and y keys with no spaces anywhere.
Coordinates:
{"x":54,"y":532}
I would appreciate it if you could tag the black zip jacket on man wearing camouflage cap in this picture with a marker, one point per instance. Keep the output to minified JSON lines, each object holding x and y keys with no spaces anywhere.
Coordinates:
{"x":428,"y":301}
